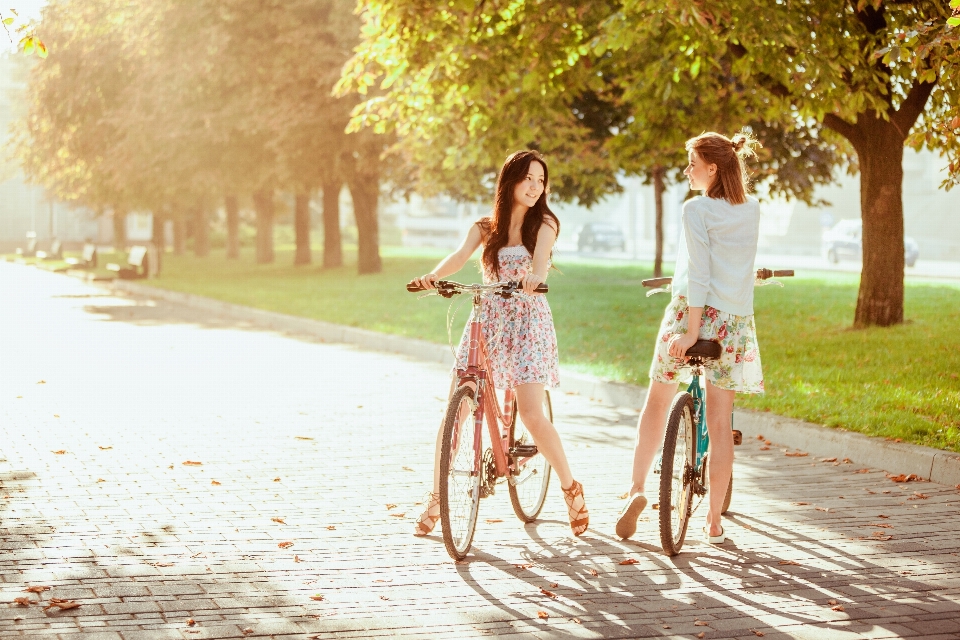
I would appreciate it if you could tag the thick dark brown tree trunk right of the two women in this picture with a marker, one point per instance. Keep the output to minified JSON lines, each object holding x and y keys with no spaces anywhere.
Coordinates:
{"x":880,"y":155}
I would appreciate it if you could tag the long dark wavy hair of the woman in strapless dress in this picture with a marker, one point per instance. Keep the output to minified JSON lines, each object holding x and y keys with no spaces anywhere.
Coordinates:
{"x":496,"y":227}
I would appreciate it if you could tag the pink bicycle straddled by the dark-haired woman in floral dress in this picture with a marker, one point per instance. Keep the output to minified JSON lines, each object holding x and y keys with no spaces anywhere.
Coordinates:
{"x":471,"y":465}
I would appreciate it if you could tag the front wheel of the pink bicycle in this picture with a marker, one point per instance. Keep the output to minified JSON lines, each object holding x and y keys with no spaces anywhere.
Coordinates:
{"x":459,"y":477}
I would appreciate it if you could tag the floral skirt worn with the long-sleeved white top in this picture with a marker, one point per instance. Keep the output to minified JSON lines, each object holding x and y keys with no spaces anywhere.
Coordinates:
{"x":738,"y":368}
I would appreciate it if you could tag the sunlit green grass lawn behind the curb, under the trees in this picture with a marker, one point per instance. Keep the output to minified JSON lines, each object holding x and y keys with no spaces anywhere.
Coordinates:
{"x":900,"y":382}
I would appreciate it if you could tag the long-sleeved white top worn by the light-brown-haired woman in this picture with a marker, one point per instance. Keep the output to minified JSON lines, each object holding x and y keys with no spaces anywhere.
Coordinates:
{"x":716,"y":254}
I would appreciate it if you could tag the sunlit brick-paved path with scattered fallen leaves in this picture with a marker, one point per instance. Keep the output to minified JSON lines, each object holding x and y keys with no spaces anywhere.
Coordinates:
{"x":103,"y":400}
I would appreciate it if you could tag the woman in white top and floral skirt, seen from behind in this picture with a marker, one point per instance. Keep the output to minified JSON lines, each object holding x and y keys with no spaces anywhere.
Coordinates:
{"x":712,"y":299}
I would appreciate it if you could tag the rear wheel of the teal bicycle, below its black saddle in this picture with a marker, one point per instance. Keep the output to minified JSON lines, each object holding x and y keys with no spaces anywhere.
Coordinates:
{"x":676,"y":474}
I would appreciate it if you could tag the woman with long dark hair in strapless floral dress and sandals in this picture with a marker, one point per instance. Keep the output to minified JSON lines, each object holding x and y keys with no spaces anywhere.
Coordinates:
{"x":517,"y":240}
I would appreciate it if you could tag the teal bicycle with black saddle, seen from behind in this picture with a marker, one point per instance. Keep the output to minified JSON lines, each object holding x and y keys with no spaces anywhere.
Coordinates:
{"x":682,"y":465}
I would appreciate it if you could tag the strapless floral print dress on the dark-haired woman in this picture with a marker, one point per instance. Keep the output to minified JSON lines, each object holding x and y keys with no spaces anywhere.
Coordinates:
{"x":519,"y":334}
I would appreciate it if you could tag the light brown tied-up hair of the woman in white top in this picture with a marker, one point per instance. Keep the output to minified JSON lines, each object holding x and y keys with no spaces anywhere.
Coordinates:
{"x":732,"y":183}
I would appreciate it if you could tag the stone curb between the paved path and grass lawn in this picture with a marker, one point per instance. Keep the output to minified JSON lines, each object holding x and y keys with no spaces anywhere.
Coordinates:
{"x":894,"y":457}
